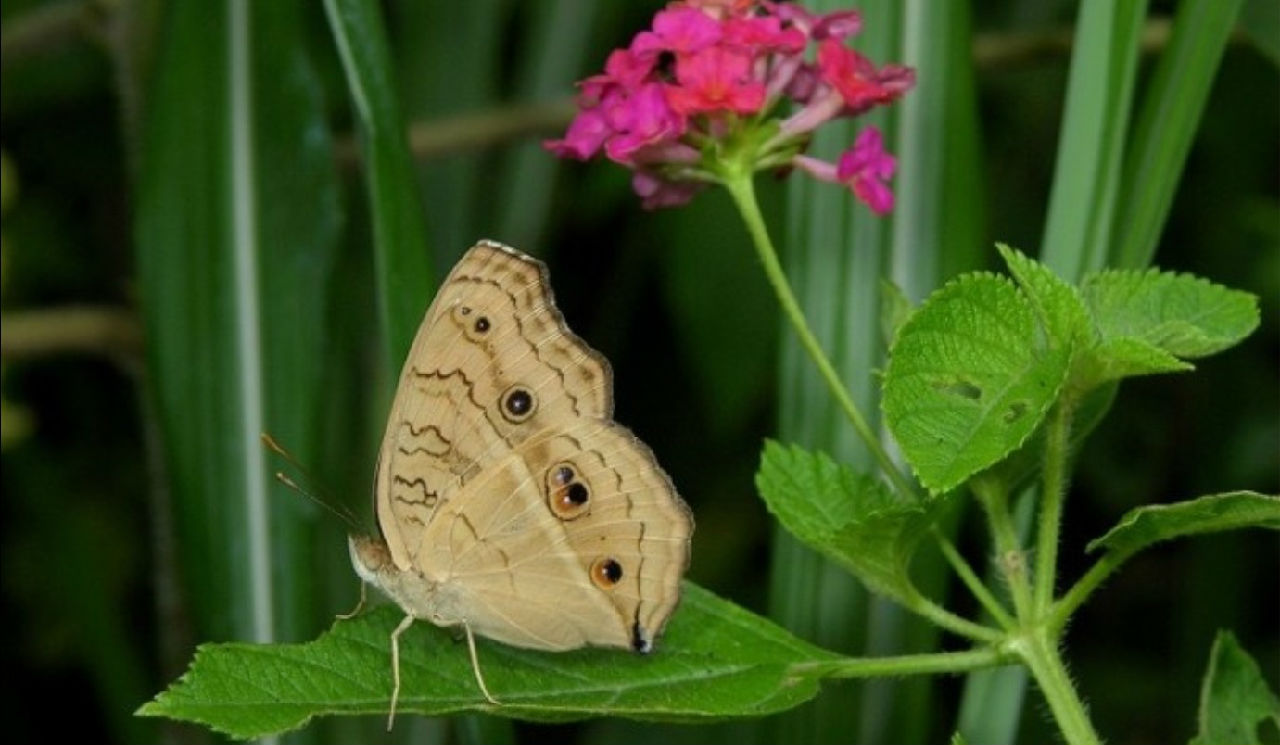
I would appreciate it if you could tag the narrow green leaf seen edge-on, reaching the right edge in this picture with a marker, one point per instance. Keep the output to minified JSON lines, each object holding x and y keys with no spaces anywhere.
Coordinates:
{"x":1155,"y":523}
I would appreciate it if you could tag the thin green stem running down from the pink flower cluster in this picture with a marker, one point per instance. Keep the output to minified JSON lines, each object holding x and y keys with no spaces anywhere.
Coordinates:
{"x":742,"y":188}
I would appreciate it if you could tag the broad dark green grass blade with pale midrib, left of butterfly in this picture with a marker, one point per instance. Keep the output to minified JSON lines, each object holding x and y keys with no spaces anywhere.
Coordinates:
{"x":231,"y":164}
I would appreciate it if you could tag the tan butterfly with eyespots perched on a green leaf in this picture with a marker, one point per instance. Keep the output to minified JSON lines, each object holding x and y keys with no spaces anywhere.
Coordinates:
{"x":509,"y":502}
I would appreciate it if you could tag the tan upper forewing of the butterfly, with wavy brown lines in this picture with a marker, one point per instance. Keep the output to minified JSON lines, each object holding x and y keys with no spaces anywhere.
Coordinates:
{"x":491,"y":364}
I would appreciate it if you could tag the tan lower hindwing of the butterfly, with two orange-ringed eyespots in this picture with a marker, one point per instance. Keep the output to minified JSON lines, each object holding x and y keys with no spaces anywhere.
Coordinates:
{"x":577,"y":538}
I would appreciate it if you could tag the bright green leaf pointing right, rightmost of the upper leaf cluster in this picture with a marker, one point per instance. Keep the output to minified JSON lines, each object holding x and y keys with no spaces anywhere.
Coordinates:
{"x":1186,"y":317}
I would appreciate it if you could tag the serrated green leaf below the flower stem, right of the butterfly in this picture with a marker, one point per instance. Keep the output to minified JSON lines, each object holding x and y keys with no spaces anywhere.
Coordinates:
{"x":848,"y":517}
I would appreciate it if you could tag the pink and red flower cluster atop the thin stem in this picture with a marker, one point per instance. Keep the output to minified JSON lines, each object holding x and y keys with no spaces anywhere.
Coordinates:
{"x":700,"y":89}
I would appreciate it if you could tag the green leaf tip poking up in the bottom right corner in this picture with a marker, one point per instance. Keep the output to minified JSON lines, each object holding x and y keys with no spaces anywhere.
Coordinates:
{"x":1235,"y":697}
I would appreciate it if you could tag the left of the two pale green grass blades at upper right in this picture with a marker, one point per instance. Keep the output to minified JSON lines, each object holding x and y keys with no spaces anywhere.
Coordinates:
{"x":1091,"y":144}
